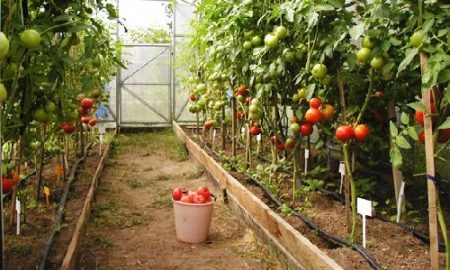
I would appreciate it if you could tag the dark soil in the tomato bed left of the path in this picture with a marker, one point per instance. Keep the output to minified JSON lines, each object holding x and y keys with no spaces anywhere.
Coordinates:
{"x":24,"y":251}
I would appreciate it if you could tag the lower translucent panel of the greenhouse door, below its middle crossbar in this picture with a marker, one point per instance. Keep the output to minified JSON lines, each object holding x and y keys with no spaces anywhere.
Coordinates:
{"x":145,"y":104}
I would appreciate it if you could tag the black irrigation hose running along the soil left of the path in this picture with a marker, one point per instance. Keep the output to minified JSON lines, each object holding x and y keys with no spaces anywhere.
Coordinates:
{"x":59,"y":214}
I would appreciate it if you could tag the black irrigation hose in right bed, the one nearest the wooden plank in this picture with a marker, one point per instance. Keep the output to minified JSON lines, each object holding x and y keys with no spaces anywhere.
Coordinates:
{"x":329,"y":237}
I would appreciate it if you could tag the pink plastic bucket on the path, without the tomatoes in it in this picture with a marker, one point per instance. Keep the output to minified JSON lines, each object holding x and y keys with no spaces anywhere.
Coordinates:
{"x":192,"y":221}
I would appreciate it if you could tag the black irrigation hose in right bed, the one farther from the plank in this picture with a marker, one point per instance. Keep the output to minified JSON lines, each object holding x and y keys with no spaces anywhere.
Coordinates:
{"x":416,"y":233}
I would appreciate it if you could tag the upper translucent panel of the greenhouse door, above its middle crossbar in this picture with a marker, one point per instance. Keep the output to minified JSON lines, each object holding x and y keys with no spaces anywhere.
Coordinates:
{"x":146,"y":64}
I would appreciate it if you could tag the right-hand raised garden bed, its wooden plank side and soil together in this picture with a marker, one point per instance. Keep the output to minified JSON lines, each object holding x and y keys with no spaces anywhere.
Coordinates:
{"x":389,"y":245}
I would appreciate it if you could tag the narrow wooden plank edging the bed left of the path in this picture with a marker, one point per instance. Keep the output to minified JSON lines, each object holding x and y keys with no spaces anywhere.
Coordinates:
{"x":73,"y":250}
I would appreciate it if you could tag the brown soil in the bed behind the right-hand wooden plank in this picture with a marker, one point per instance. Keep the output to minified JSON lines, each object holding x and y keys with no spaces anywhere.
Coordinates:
{"x":391,"y":246}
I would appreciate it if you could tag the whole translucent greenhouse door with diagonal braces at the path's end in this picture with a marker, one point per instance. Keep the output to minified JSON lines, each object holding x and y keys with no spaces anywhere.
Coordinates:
{"x":144,"y":87}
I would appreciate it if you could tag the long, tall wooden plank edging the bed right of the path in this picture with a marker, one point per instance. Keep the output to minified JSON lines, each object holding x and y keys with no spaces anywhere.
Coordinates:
{"x":279,"y":231}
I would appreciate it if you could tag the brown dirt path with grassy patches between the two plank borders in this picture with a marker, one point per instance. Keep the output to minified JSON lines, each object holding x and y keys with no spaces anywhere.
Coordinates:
{"x":132,"y":224}
